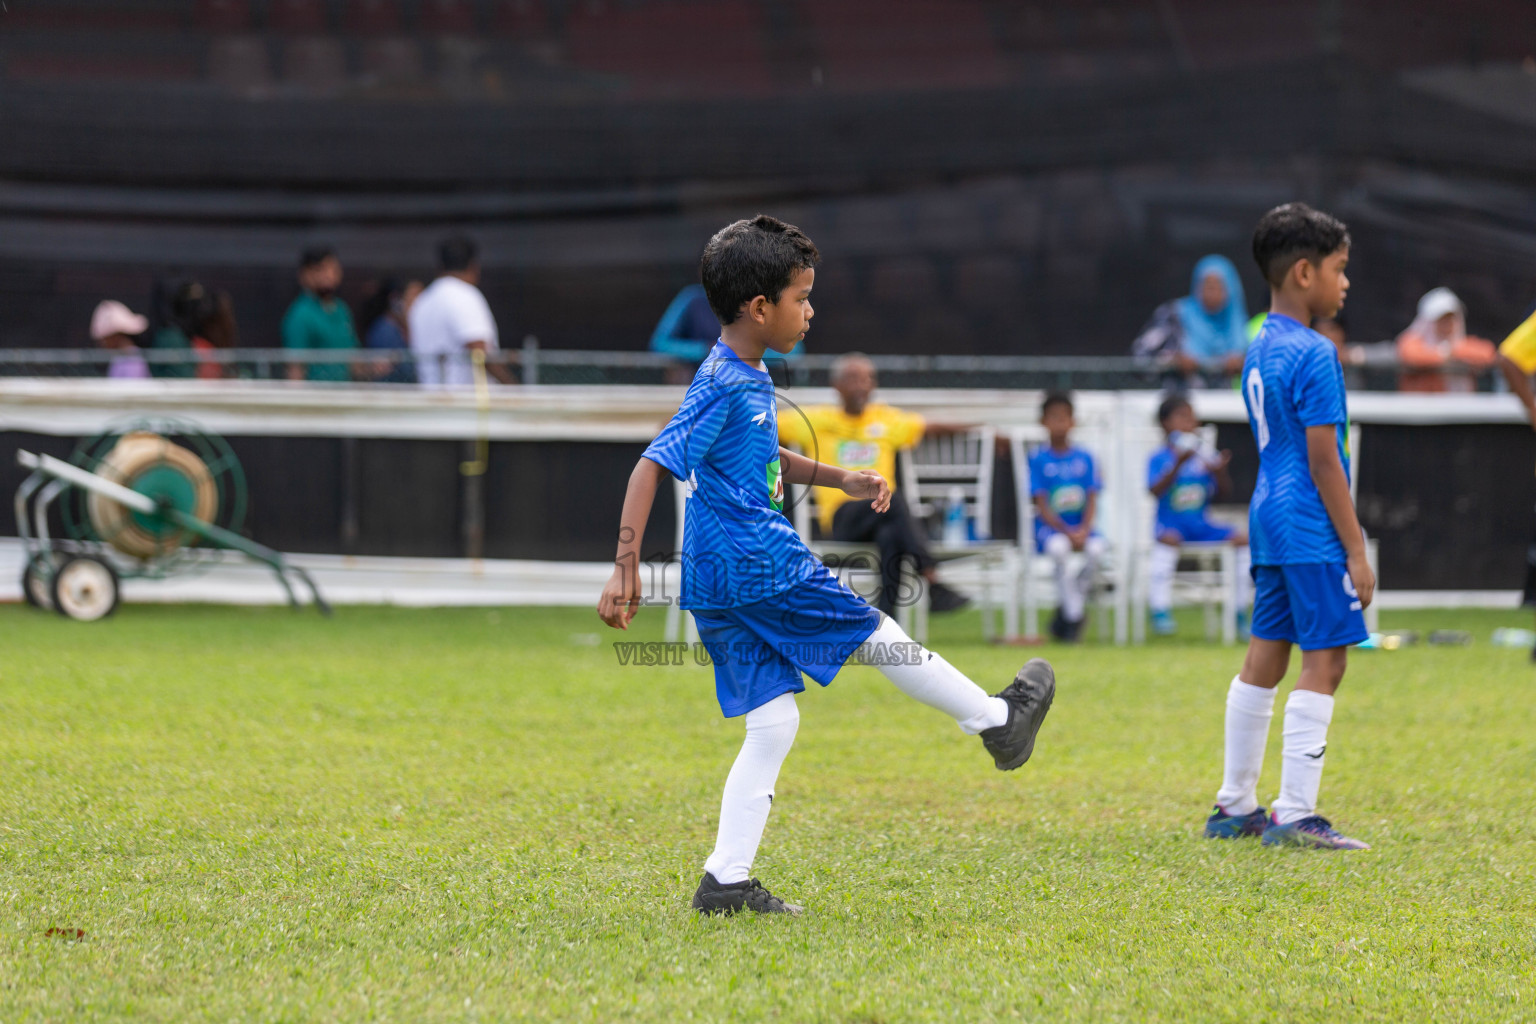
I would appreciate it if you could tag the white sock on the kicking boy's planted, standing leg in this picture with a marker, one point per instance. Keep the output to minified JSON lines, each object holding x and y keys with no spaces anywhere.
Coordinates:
{"x":749,"y":788}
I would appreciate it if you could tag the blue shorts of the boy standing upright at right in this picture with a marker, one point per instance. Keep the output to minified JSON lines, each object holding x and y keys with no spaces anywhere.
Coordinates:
{"x":1314,"y":606}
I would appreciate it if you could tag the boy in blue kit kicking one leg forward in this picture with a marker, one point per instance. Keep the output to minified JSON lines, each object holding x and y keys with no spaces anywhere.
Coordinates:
{"x":766,"y":607}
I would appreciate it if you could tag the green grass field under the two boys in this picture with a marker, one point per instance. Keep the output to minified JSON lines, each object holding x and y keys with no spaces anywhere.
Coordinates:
{"x":469,"y":814}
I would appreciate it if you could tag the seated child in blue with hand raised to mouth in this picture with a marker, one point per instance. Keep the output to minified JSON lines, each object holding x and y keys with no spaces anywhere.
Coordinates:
{"x":1185,"y":475}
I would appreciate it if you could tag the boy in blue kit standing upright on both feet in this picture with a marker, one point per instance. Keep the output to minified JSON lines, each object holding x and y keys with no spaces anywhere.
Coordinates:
{"x":1309,"y":553}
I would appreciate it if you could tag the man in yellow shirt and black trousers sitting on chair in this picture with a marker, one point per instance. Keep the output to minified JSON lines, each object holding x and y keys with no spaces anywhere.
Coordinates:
{"x":864,"y":435}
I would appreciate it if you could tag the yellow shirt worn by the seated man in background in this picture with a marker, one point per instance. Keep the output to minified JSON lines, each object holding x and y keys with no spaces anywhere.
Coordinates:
{"x":869,"y":441}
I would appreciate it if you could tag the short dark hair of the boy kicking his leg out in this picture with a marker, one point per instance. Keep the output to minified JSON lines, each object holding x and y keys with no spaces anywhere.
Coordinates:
{"x":752,"y":259}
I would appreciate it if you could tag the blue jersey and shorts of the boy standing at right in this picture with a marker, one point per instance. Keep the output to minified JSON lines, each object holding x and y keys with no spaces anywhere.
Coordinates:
{"x":1293,"y":380}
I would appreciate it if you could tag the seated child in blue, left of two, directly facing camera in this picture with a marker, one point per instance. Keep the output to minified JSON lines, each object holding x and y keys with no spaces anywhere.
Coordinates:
{"x":1064,"y":483}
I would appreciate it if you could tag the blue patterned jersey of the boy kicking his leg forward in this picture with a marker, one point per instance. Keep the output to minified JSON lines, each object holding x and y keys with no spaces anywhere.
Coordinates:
{"x":738,"y":547}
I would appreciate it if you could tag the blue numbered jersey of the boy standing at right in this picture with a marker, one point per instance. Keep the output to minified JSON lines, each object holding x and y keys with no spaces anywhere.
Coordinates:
{"x":1293,"y":380}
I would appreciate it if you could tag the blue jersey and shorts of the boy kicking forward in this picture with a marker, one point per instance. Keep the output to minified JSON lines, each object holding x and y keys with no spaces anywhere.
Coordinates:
{"x":766,"y":606}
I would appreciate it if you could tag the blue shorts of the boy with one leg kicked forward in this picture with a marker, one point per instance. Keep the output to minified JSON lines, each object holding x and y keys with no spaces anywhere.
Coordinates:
{"x":761,"y":650}
